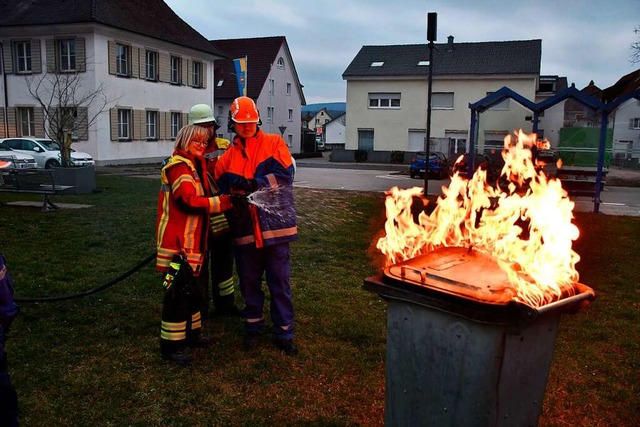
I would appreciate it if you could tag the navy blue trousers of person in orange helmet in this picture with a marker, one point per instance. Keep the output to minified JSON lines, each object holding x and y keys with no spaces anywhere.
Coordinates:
{"x":273,"y":263}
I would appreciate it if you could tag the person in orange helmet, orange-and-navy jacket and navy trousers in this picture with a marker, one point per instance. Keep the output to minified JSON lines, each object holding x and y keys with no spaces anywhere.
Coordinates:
{"x":261,"y":237}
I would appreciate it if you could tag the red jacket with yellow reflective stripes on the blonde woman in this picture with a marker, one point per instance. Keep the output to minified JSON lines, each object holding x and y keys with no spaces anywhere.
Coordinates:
{"x":184,"y":205}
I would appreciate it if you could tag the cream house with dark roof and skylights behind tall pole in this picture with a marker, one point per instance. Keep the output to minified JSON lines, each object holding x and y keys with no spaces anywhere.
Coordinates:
{"x":387,"y":91}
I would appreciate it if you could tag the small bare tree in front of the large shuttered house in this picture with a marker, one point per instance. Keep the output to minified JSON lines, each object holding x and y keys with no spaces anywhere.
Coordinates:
{"x":70,"y":108}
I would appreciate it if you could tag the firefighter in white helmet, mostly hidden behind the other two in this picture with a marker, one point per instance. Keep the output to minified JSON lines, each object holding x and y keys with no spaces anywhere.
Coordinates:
{"x":220,"y":265}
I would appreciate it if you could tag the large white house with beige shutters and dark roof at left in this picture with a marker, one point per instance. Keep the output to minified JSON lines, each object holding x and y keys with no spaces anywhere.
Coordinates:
{"x":149,"y":64}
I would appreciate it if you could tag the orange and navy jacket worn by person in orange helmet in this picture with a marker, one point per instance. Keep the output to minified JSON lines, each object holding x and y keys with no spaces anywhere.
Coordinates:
{"x":265,"y":158}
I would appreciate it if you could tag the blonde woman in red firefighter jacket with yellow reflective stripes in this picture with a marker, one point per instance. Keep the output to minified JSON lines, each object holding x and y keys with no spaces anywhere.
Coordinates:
{"x":185,"y":204}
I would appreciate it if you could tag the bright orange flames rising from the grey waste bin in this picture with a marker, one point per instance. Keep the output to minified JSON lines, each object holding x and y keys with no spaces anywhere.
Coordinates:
{"x":524,"y":223}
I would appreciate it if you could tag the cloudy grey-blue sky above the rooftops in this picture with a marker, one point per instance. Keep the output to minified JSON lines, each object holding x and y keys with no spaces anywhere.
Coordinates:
{"x":581,"y":39}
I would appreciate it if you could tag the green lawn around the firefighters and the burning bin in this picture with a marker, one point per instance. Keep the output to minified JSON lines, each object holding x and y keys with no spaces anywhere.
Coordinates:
{"x":95,"y":360}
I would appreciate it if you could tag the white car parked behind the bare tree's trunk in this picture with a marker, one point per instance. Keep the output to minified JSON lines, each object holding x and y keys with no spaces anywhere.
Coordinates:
{"x":45,"y":151}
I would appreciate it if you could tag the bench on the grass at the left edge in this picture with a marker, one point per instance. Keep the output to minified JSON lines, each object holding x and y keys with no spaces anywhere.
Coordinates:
{"x":34,"y":181}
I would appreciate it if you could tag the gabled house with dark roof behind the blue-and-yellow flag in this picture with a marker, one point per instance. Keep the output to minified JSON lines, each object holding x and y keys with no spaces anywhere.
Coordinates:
{"x":272,"y":82}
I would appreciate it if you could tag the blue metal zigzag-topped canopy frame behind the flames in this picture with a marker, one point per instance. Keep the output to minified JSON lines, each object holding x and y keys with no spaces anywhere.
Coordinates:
{"x":571,"y":92}
